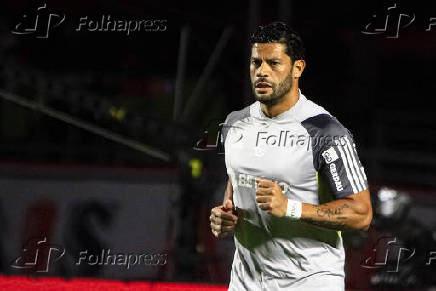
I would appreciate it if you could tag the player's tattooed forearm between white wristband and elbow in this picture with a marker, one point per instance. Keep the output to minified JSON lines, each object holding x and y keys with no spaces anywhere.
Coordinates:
{"x":341,"y":214}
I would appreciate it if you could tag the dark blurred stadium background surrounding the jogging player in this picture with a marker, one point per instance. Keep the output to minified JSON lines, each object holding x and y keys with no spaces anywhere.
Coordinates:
{"x":97,"y":131}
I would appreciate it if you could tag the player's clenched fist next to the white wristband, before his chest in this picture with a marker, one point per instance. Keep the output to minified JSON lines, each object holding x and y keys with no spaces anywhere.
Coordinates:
{"x":270,"y":198}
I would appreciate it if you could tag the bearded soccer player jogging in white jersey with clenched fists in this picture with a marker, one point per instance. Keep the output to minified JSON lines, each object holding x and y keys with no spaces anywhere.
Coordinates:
{"x":295,"y":179}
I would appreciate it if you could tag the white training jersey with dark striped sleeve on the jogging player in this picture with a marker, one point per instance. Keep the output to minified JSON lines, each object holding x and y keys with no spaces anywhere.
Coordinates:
{"x":314,"y":160}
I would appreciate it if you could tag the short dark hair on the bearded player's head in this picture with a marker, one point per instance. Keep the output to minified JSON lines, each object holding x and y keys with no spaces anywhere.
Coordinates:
{"x":280,"y":32}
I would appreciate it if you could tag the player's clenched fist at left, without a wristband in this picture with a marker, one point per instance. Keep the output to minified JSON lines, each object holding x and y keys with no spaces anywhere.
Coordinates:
{"x":223,"y":219}
